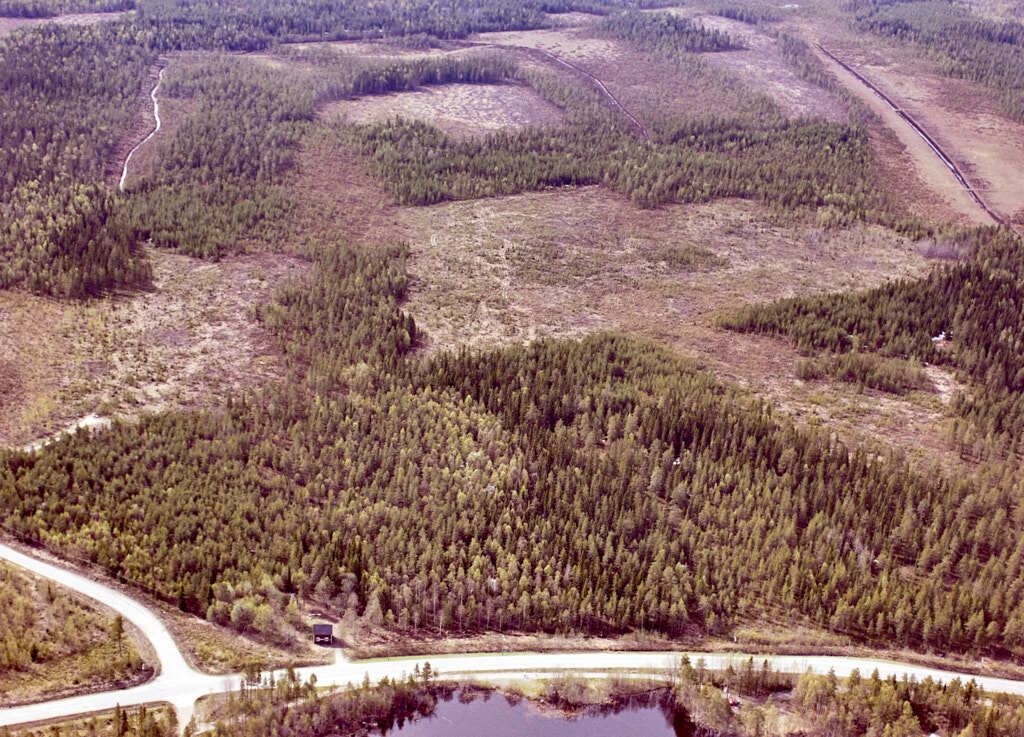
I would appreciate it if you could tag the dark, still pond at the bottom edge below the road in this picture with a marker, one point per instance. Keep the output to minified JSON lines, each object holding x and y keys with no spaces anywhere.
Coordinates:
{"x":494,"y":715}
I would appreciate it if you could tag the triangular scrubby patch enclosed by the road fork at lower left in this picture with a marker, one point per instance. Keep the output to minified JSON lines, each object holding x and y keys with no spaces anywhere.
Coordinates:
{"x":52,"y":641}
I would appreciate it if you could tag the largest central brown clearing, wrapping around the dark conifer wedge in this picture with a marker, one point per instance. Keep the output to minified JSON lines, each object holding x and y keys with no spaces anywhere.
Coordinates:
{"x":568,"y":264}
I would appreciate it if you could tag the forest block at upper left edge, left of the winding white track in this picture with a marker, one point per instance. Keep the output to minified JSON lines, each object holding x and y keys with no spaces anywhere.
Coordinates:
{"x":67,"y":96}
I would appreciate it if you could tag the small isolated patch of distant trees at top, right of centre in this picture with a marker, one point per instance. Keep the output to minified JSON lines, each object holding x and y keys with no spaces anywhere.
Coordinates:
{"x":666,"y":33}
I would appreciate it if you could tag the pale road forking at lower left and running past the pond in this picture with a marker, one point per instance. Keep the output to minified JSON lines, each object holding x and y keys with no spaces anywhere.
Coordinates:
{"x":179,"y":684}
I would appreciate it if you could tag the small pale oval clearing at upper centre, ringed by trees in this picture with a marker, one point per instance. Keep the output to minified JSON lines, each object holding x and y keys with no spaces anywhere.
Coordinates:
{"x":460,"y":110}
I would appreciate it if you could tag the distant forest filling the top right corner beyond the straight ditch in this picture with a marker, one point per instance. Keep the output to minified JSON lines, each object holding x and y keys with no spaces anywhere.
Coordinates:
{"x":963,"y":45}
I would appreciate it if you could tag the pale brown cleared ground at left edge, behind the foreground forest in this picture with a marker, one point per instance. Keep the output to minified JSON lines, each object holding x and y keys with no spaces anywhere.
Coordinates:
{"x":189,"y":343}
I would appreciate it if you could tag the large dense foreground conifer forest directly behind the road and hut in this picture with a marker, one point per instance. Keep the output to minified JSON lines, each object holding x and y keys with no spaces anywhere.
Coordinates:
{"x":497,"y":492}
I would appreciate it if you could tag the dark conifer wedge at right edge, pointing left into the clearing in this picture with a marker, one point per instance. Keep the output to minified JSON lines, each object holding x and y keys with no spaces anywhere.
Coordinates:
{"x":977,"y":306}
